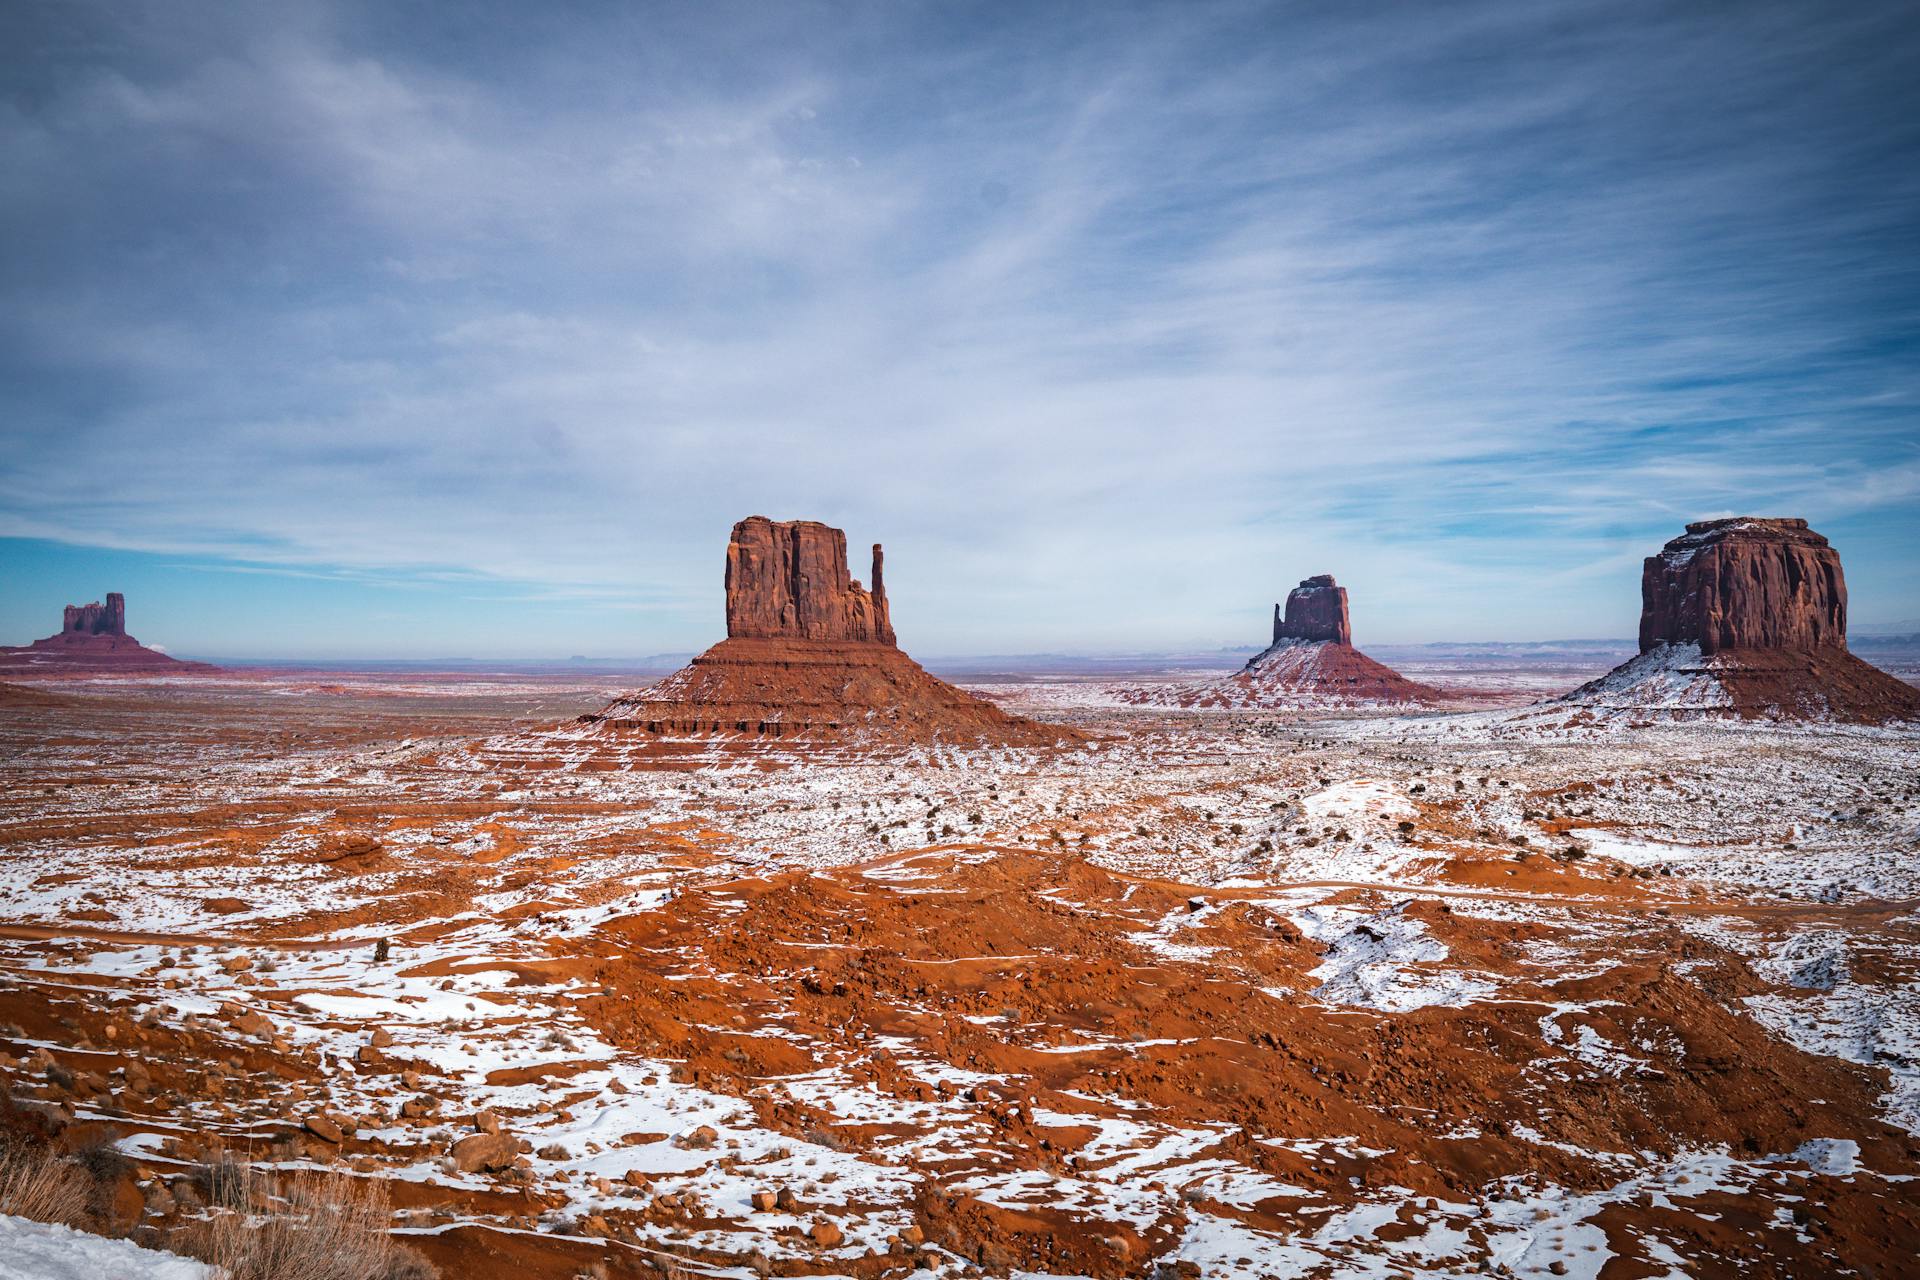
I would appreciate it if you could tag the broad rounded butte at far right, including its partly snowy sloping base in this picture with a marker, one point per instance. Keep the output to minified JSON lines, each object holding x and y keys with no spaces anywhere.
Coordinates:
{"x":1748,"y":619}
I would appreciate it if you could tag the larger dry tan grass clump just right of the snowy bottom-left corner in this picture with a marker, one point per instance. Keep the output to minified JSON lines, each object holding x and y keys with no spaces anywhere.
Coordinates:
{"x":327,"y":1227}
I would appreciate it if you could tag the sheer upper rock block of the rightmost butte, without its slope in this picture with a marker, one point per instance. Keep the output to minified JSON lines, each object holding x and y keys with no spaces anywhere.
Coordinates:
{"x":1744,"y":584}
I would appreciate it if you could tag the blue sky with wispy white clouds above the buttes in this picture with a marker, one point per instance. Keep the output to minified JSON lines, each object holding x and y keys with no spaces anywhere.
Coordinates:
{"x":469,"y":331}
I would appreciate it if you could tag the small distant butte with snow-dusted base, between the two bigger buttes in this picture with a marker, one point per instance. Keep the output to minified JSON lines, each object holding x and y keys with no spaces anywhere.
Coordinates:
{"x":1312,"y":663}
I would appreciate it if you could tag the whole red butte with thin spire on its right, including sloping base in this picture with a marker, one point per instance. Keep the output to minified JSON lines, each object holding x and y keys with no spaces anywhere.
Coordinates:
{"x":811,"y":655}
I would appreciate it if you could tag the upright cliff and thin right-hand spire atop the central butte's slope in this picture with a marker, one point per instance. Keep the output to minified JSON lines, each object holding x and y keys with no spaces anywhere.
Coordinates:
{"x":788,"y":579}
